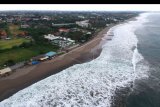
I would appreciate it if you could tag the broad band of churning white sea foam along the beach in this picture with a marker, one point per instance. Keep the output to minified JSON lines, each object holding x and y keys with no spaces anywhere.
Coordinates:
{"x":93,"y":83}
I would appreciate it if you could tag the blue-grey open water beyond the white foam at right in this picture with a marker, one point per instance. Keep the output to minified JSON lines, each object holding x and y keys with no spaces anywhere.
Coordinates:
{"x":146,"y":92}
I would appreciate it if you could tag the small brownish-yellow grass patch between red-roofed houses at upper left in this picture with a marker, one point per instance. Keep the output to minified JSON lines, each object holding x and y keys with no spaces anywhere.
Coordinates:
{"x":14,"y":29}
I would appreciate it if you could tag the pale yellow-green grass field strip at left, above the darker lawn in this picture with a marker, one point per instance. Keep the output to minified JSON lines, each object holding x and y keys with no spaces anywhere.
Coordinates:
{"x":6,"y":44}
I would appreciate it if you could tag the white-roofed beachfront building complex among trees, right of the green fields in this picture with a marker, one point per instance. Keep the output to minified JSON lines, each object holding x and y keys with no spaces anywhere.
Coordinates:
{"x":60,"y":41}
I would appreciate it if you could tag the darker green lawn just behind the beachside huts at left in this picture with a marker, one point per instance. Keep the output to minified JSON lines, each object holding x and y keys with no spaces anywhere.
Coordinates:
{"x":21,"y":54}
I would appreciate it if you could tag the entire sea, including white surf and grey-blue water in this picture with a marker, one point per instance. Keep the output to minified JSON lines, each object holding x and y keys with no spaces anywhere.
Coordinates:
{"x":130,"y":60}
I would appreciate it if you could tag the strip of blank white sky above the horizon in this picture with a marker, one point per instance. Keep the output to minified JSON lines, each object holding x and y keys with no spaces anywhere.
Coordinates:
{"x":82,"y":7}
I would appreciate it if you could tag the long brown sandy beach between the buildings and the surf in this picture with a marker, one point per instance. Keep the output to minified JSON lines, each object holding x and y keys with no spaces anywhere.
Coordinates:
{"x":26,"y":76}
